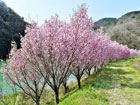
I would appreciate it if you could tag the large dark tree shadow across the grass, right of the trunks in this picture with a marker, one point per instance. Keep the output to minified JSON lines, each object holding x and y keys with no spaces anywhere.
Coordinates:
{"x":115,"y":79}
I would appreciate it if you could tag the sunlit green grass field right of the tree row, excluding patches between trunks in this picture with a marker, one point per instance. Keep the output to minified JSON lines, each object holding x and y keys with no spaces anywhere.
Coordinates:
{"x":119,"y":84}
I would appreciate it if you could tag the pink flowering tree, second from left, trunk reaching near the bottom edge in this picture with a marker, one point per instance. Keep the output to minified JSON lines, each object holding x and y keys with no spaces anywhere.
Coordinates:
{"x":56,"y":53}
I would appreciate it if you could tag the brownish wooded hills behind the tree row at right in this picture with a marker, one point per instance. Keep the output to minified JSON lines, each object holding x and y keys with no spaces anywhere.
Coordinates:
{"x":125,"y":30}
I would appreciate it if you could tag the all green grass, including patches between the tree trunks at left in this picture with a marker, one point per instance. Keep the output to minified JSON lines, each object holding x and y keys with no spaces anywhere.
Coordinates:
{"x":117,"y":84}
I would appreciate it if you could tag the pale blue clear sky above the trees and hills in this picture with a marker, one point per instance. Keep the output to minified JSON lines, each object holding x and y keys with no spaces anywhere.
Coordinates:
{"x":39,"y":10}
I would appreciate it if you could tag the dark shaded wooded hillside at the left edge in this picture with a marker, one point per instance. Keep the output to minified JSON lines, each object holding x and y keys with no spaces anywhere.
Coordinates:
{"x":11,"y":27}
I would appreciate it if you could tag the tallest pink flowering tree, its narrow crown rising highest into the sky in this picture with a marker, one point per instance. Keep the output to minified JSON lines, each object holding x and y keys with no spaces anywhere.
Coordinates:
{"x":82,"y":34}
